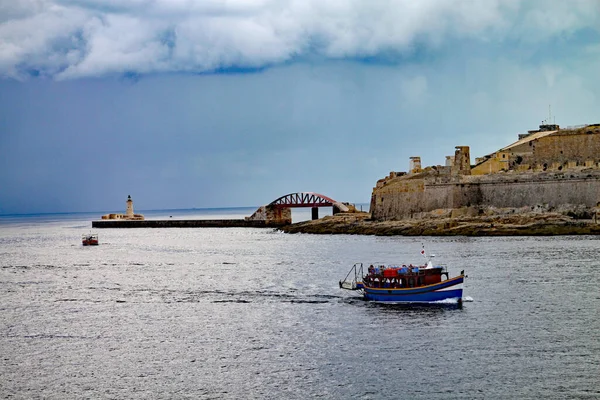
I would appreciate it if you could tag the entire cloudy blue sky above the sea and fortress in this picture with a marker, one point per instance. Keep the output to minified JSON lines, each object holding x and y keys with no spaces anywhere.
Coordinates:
{"x":234,"y":103}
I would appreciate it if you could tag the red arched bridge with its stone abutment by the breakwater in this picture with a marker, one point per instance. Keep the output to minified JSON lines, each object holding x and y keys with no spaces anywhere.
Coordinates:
{"x":279,"y":211}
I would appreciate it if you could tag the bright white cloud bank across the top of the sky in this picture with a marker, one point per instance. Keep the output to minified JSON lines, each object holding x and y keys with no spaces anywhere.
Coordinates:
{"x":77,"y":38}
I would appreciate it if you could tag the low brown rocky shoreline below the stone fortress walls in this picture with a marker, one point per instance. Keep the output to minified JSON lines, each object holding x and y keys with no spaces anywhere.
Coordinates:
{"x":520,"y":224}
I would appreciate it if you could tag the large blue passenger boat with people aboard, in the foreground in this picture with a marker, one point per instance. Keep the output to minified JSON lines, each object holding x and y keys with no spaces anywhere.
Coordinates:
{"x":405,"y":284}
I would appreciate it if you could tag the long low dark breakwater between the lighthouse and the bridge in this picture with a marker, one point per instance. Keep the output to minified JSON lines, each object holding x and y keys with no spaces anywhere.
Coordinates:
{"x":189,"y":223}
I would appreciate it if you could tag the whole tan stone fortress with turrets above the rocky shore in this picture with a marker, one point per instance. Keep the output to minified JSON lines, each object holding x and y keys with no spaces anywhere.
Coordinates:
{"x":549,"y":167}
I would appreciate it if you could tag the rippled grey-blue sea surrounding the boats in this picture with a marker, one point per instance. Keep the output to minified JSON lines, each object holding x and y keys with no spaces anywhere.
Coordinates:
{"x":254,"y":313}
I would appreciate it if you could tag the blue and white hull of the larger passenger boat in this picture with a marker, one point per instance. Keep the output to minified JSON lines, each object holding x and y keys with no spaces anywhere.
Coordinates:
{"x":450,"y":289}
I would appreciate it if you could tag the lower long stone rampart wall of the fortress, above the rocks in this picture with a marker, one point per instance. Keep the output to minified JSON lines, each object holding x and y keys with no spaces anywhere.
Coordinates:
{"x":408,"y":196}
